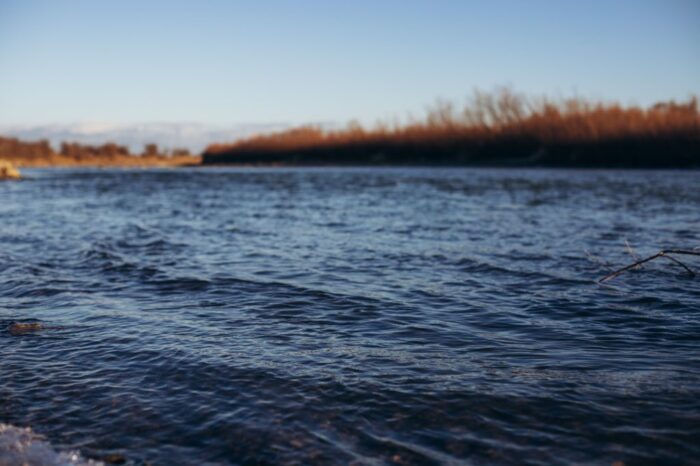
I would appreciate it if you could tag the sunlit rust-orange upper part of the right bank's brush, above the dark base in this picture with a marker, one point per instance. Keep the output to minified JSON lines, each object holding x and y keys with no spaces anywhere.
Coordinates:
{"x":491,"y":118}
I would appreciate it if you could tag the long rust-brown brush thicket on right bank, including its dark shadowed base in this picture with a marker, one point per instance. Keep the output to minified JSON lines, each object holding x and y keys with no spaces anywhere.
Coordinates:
{"x":499,"y":128}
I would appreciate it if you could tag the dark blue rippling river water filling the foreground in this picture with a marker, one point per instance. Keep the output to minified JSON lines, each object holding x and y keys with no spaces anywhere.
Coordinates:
{"x":340,"y":316}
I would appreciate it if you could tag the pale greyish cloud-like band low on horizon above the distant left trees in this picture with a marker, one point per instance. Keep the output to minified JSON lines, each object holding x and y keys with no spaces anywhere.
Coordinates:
{"x":192,"y":136}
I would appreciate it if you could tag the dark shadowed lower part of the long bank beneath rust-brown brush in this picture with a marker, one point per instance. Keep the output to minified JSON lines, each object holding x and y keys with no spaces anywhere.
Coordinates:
{"x":638,"y":153}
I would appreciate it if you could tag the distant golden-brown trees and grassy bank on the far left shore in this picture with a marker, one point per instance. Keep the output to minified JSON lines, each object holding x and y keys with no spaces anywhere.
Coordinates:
{"x":41,"y":154}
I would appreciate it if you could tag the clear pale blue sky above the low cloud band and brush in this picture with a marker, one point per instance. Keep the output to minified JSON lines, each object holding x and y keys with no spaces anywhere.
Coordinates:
{"x":229,"y":62}
